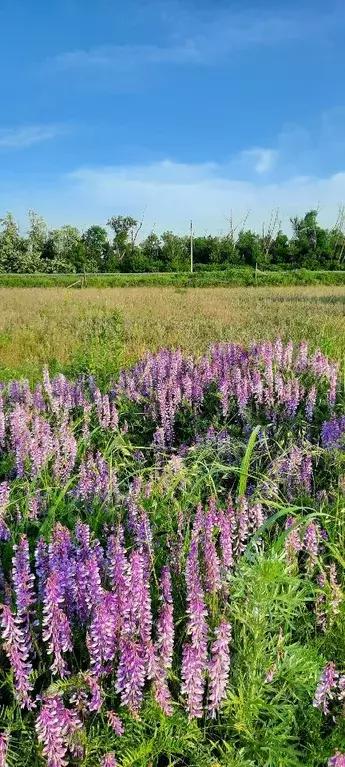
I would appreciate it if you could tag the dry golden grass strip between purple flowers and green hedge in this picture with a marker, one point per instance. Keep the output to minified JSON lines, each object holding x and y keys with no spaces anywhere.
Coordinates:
{"x":47,"y":325}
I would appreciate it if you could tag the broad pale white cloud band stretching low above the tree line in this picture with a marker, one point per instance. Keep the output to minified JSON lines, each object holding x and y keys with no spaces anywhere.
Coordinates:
{"x":172,"y":194}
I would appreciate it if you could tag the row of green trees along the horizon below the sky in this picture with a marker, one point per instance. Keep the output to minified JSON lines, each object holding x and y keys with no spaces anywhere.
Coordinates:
{"x":120,"y":249}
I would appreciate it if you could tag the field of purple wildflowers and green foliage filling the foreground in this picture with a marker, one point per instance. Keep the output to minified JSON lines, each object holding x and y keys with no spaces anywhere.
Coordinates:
{"x":173,"y":563}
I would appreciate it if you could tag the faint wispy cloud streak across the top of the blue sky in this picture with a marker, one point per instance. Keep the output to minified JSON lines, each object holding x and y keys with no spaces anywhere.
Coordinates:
{"x":200,"y":40}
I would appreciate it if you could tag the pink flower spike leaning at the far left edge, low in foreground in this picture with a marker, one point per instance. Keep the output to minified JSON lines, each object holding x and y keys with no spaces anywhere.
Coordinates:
{"x":18,"y":654}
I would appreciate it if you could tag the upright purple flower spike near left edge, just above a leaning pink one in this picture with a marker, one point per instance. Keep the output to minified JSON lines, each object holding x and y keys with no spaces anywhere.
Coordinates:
{"x":23,"y":584}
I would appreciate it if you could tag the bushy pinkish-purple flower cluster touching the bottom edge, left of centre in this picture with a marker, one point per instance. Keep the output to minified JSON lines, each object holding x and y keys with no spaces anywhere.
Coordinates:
{"x":55,"y":727}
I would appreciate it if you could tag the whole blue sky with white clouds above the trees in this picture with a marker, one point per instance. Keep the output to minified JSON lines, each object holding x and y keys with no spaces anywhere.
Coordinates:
{"x":180,"y":109}
